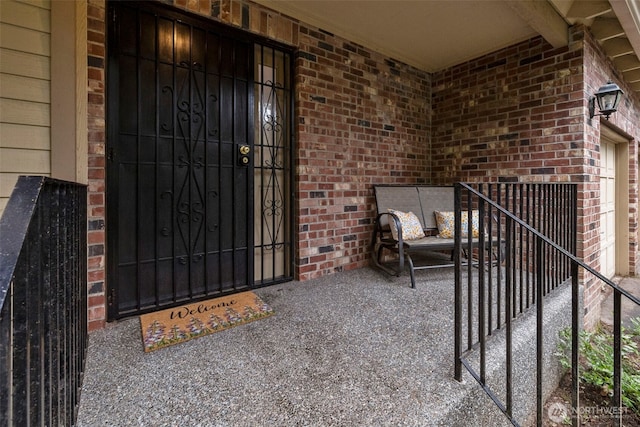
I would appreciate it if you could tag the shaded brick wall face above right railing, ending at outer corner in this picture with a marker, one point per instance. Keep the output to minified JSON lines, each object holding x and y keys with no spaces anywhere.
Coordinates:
{"x":515,"y":114}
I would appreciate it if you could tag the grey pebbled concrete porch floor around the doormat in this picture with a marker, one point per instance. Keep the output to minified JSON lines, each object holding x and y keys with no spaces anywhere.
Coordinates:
{"x":357,"y":348}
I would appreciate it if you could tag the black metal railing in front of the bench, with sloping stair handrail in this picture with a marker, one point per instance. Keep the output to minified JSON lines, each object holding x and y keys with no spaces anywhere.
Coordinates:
{"x":535,"y":228}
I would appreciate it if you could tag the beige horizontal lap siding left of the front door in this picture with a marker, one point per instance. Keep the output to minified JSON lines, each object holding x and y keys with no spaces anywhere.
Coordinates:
{"x":25,"y":92}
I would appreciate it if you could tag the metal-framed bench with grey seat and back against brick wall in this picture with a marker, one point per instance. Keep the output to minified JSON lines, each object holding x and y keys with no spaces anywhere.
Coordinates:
{"x":423,"y":201}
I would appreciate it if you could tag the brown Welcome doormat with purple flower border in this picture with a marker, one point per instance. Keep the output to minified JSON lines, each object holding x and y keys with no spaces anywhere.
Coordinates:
{"x":179,"y":324}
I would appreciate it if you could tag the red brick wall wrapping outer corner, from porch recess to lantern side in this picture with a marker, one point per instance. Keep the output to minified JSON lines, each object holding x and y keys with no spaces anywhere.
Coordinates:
{"x":520,"y":114}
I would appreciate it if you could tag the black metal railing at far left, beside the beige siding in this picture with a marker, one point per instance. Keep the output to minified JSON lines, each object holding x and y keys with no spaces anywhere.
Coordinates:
{"x":43,"y":303}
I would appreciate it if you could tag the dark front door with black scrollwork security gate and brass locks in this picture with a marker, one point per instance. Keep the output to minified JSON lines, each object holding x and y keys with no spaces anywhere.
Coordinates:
{"x":179,"y":160}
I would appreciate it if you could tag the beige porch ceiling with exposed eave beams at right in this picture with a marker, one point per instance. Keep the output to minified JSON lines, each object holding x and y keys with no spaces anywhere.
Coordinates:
{"x":435,"y":34}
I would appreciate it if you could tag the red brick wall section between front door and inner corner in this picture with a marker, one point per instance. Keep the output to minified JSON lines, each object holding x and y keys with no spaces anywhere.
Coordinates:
{"x":362,"y":119}
